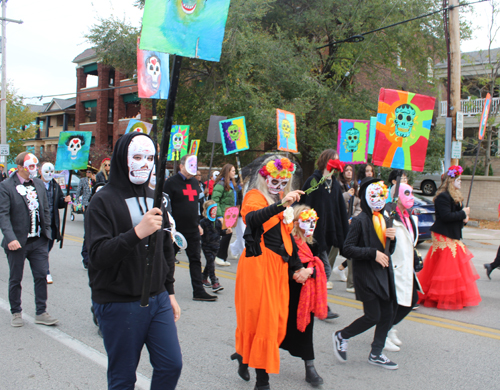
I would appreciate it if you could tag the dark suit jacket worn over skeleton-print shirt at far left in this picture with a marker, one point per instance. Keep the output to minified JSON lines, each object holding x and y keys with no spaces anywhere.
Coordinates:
{"x":15,"y":215}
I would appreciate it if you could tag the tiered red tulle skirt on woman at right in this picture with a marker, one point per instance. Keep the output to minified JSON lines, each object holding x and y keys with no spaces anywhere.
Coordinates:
{"x":448,"y":278}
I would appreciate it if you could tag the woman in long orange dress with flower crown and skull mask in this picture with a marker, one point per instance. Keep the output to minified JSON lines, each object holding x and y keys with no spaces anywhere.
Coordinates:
{"x":262,"y":292}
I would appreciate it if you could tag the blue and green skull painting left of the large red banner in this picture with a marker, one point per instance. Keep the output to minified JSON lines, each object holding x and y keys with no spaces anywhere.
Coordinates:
{"x":352,"y":144}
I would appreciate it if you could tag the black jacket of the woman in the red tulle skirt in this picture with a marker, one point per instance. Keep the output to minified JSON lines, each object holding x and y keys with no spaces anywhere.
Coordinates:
{"x":449,"y":217}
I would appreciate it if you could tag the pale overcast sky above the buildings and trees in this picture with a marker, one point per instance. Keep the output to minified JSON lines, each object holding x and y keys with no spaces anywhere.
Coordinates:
{"x":41,"y":50}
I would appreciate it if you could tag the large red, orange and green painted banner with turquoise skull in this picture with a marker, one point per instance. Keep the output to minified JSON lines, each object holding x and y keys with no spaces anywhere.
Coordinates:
{"x":403,"y":126}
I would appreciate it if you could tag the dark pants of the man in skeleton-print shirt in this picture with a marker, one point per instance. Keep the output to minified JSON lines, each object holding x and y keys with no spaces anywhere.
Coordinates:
{"x":38,"y":256}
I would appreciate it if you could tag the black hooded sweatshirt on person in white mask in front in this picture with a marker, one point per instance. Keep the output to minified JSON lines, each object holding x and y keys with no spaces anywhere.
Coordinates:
{"x":117,"y":255}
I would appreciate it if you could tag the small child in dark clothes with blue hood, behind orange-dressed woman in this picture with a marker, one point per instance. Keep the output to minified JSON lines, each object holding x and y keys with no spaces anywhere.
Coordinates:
{"x":210,"y":242}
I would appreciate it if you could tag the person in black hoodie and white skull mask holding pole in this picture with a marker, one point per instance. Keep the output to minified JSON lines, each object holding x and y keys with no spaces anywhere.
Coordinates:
{"x":120,"y":220}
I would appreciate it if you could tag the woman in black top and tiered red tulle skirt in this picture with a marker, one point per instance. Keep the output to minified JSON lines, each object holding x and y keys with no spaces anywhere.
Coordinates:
{"x":448,"y":278}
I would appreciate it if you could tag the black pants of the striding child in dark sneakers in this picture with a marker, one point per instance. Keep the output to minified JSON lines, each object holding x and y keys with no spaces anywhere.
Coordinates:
{"x":378,"y":313}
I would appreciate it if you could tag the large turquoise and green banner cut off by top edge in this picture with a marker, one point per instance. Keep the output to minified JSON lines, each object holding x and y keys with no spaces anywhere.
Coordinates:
{"x":190,"y":28}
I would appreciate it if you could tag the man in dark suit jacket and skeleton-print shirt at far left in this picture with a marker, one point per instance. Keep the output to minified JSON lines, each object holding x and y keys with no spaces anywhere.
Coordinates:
{"x":25,"y":223}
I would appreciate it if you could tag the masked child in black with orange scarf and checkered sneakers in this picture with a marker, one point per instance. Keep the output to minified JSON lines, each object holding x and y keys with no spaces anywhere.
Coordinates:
{"x":373,"y":275}
